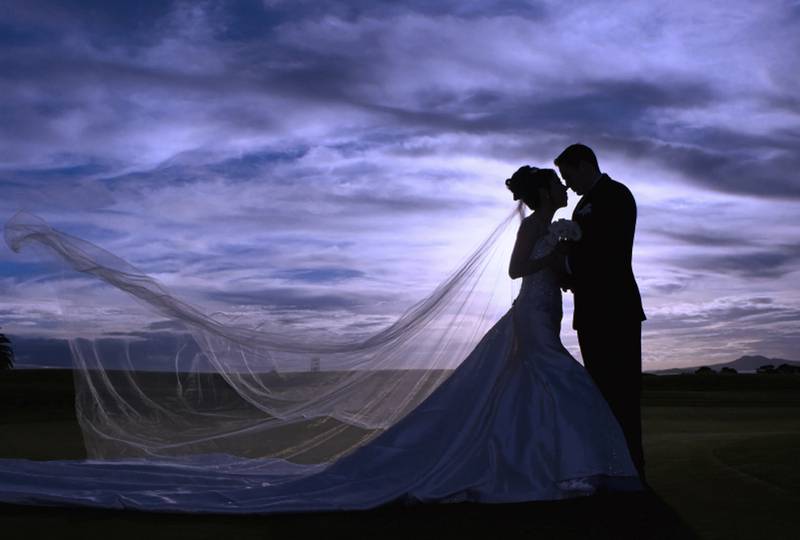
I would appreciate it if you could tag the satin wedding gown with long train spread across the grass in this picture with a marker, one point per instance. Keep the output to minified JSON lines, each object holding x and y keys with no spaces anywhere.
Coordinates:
{"x":518,"y":420}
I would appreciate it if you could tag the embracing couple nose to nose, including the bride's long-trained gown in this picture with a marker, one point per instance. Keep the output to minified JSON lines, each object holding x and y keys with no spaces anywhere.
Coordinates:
{"x":519,"y":419}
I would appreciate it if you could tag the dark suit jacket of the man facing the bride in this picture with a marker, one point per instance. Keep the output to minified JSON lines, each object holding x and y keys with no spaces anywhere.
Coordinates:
{"x":603,"y":285}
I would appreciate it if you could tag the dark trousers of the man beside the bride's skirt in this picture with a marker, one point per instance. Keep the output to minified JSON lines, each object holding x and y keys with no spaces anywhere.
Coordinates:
{"x":612,"y":353}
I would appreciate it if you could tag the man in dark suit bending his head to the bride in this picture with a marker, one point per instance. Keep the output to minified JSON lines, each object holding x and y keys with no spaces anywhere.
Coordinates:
{"x":608,"y":309}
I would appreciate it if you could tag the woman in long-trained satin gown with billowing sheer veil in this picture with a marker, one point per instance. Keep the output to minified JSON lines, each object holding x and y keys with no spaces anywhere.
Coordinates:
{"x":518,"y":420}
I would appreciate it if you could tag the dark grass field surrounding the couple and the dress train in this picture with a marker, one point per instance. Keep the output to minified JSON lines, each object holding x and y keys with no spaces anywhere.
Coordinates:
{"x":721,"y":458}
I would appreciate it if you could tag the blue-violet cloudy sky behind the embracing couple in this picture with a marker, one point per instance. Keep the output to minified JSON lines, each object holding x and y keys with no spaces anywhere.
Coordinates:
{"x":304,"y":159}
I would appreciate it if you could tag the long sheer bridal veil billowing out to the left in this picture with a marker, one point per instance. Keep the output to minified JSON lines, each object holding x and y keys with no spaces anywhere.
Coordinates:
{"x":264,"y":390}
